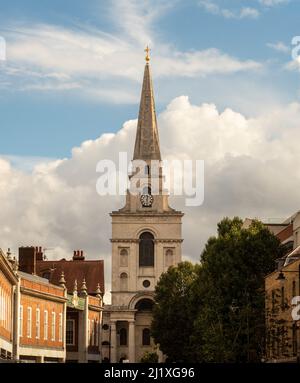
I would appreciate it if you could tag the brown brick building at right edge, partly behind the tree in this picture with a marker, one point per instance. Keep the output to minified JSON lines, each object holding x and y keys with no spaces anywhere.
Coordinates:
{"x":281,"y":286}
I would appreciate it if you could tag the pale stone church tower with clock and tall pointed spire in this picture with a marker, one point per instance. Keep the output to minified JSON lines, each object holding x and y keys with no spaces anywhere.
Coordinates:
{"x":146,"y":240}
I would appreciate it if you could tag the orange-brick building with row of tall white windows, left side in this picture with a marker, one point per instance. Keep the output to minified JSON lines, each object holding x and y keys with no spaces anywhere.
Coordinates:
{"x":41,"y":320}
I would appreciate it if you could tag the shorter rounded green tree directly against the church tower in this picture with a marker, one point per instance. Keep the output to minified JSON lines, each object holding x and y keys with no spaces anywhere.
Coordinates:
{"x":174,"y":313}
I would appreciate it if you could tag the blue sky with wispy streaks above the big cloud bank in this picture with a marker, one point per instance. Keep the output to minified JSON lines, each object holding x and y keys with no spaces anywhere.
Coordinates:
{"x":74,"y":68}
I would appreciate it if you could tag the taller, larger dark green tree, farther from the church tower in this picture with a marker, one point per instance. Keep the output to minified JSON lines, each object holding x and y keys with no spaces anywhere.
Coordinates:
{"x":230,"y":326}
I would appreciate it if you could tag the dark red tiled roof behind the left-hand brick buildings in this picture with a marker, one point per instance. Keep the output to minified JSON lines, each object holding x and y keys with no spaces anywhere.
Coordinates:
{"x":92,"y":271}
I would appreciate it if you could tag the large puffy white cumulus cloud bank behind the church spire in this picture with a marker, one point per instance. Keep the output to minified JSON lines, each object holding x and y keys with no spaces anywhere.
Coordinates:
{"x":251,"y":169}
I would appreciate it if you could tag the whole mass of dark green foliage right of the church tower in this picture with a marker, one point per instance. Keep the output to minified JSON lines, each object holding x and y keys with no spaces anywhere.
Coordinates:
{"x":214,"y":312}
